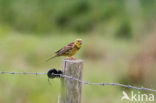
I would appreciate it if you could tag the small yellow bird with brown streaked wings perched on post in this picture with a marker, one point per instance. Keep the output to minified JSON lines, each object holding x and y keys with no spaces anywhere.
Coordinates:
{"x":68,"y":50}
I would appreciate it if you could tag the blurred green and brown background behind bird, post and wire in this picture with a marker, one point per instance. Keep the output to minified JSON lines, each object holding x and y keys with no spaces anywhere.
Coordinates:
{"x":118,"y":46}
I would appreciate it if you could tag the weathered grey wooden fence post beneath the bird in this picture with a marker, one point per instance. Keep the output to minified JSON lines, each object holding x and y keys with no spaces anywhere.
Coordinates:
{"x":71,"y":89}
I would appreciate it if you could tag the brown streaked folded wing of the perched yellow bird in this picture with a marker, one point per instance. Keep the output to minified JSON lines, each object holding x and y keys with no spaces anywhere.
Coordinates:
{"x":65,"y":49}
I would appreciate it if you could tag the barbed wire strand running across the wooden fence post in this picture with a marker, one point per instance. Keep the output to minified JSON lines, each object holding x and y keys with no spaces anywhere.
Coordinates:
{"x":80,"y":81}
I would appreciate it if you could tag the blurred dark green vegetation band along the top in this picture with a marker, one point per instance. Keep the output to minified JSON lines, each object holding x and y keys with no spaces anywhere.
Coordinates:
{"x":44,"y":17}
